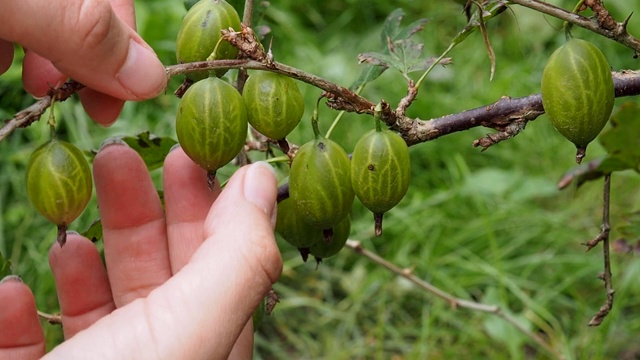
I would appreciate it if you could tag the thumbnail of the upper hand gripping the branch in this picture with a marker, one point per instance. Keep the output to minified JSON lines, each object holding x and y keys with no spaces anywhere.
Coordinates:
{"x":142,"y":73}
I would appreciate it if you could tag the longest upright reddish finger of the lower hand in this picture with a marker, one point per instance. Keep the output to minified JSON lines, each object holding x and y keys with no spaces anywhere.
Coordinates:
{"x":133,"y":226}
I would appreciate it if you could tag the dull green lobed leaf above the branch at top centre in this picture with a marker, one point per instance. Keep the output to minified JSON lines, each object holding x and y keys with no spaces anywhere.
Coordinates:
{"x":392,"y":35}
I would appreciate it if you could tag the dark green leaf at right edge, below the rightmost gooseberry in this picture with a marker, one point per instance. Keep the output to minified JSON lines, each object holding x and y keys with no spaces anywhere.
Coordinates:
{"x":621,"y":140}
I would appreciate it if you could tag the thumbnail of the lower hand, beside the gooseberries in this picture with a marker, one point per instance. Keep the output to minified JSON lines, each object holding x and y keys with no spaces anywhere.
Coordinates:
{"x":254,"y":190}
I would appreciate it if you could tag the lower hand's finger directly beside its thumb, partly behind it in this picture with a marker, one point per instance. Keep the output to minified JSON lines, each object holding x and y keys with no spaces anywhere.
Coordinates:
{"x":187,"y":201}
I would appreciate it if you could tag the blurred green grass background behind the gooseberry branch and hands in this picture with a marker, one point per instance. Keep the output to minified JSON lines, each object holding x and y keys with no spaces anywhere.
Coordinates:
{"x":486,"y":226}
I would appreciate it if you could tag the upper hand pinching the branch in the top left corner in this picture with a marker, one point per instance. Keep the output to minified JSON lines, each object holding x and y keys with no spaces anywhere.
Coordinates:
{"x":93,"y":42}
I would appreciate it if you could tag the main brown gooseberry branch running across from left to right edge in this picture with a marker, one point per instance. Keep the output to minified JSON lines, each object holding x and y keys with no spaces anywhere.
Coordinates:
{"x":501,"y":115}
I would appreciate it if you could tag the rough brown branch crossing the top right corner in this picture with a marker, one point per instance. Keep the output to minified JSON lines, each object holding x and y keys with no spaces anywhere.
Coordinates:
{"x":617,"y":31}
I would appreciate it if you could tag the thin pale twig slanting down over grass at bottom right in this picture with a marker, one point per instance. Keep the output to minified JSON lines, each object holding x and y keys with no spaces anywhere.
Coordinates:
{"x":452,"y":300}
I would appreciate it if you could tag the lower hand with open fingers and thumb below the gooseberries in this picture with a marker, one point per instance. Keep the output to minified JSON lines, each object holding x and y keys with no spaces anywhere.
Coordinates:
{"x":181,"y":283}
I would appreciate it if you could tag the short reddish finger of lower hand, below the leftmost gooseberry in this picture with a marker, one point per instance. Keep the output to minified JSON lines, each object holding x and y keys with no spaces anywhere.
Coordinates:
{"x":81,"y":282}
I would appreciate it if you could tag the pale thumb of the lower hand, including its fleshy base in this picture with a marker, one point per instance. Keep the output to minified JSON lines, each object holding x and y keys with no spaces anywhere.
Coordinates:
{"x":200,"y":312}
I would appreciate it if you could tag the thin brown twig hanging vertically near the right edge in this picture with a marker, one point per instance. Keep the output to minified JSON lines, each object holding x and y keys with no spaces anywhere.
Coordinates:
{"x":604,"y":238}
